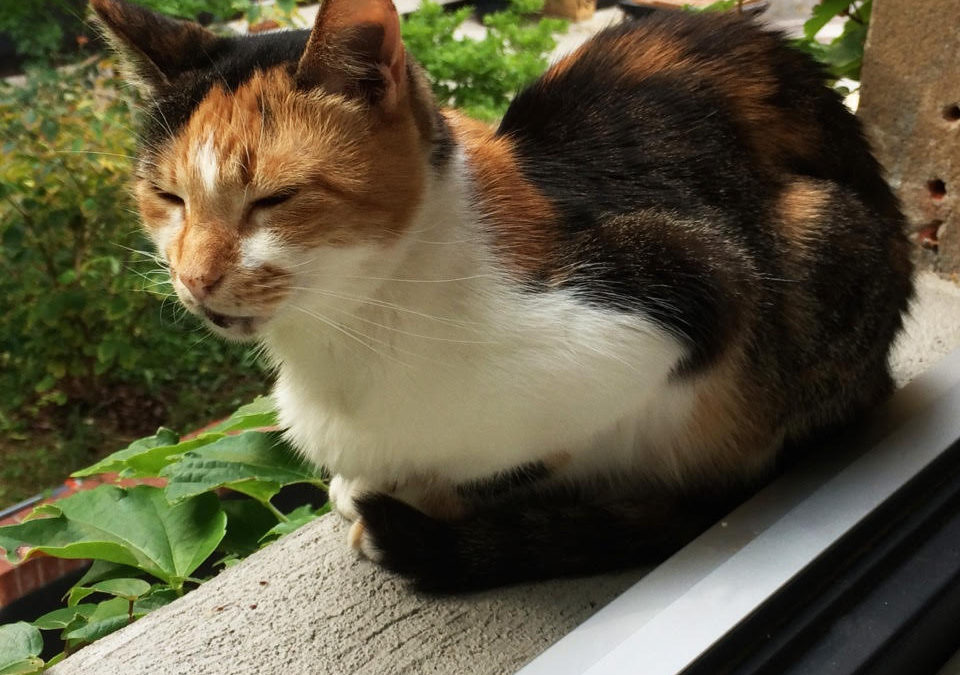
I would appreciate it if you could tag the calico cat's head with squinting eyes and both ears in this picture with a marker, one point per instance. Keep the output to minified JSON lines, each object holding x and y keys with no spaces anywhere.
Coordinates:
{"x":270,"y":160}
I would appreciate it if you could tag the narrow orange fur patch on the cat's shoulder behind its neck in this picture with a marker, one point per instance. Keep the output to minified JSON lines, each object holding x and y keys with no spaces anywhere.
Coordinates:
{"x":522,"y":219}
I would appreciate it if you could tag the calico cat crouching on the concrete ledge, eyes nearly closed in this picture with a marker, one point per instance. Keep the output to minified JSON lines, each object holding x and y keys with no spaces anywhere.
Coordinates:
{"x":557,"y":347}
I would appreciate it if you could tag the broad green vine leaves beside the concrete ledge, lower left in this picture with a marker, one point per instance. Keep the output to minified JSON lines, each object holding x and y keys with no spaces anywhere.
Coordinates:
{"x":148,"y":542}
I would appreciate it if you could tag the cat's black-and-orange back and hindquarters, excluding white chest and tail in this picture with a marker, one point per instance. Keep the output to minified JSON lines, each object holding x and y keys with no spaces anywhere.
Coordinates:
{"x":702,"y":172}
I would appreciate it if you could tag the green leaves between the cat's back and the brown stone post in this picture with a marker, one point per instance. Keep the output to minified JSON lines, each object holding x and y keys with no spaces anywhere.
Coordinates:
{"x":842,"y":56}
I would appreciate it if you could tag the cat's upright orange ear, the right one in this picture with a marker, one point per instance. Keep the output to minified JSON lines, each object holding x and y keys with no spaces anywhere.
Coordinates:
{"x":355,"y":49}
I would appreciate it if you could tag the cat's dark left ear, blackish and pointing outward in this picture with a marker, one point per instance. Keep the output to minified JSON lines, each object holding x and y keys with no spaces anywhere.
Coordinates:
{"x":154,"y":48}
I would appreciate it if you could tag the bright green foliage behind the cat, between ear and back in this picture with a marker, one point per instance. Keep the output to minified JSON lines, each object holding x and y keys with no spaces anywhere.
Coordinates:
{"x":480,"y":76}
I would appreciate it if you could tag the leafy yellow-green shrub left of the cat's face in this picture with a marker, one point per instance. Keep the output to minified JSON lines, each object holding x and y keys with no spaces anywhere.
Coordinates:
{"x":84,"y":322}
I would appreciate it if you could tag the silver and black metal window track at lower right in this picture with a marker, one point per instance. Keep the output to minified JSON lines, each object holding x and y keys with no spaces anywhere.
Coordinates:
{"x":848,"y":563}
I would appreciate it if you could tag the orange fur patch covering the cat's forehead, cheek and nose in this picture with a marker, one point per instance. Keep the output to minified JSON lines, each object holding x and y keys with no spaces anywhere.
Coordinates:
{"x":356,"y":173}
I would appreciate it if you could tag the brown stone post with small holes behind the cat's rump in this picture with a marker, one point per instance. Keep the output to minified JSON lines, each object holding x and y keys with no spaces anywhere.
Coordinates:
{"x":909,"y":99}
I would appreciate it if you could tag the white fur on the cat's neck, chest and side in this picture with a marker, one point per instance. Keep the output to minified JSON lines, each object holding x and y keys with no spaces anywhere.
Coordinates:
{"x":424,"y":359}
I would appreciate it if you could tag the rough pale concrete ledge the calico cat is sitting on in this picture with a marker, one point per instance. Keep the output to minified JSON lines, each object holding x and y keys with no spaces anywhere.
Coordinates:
{"x":306,"y":605}
